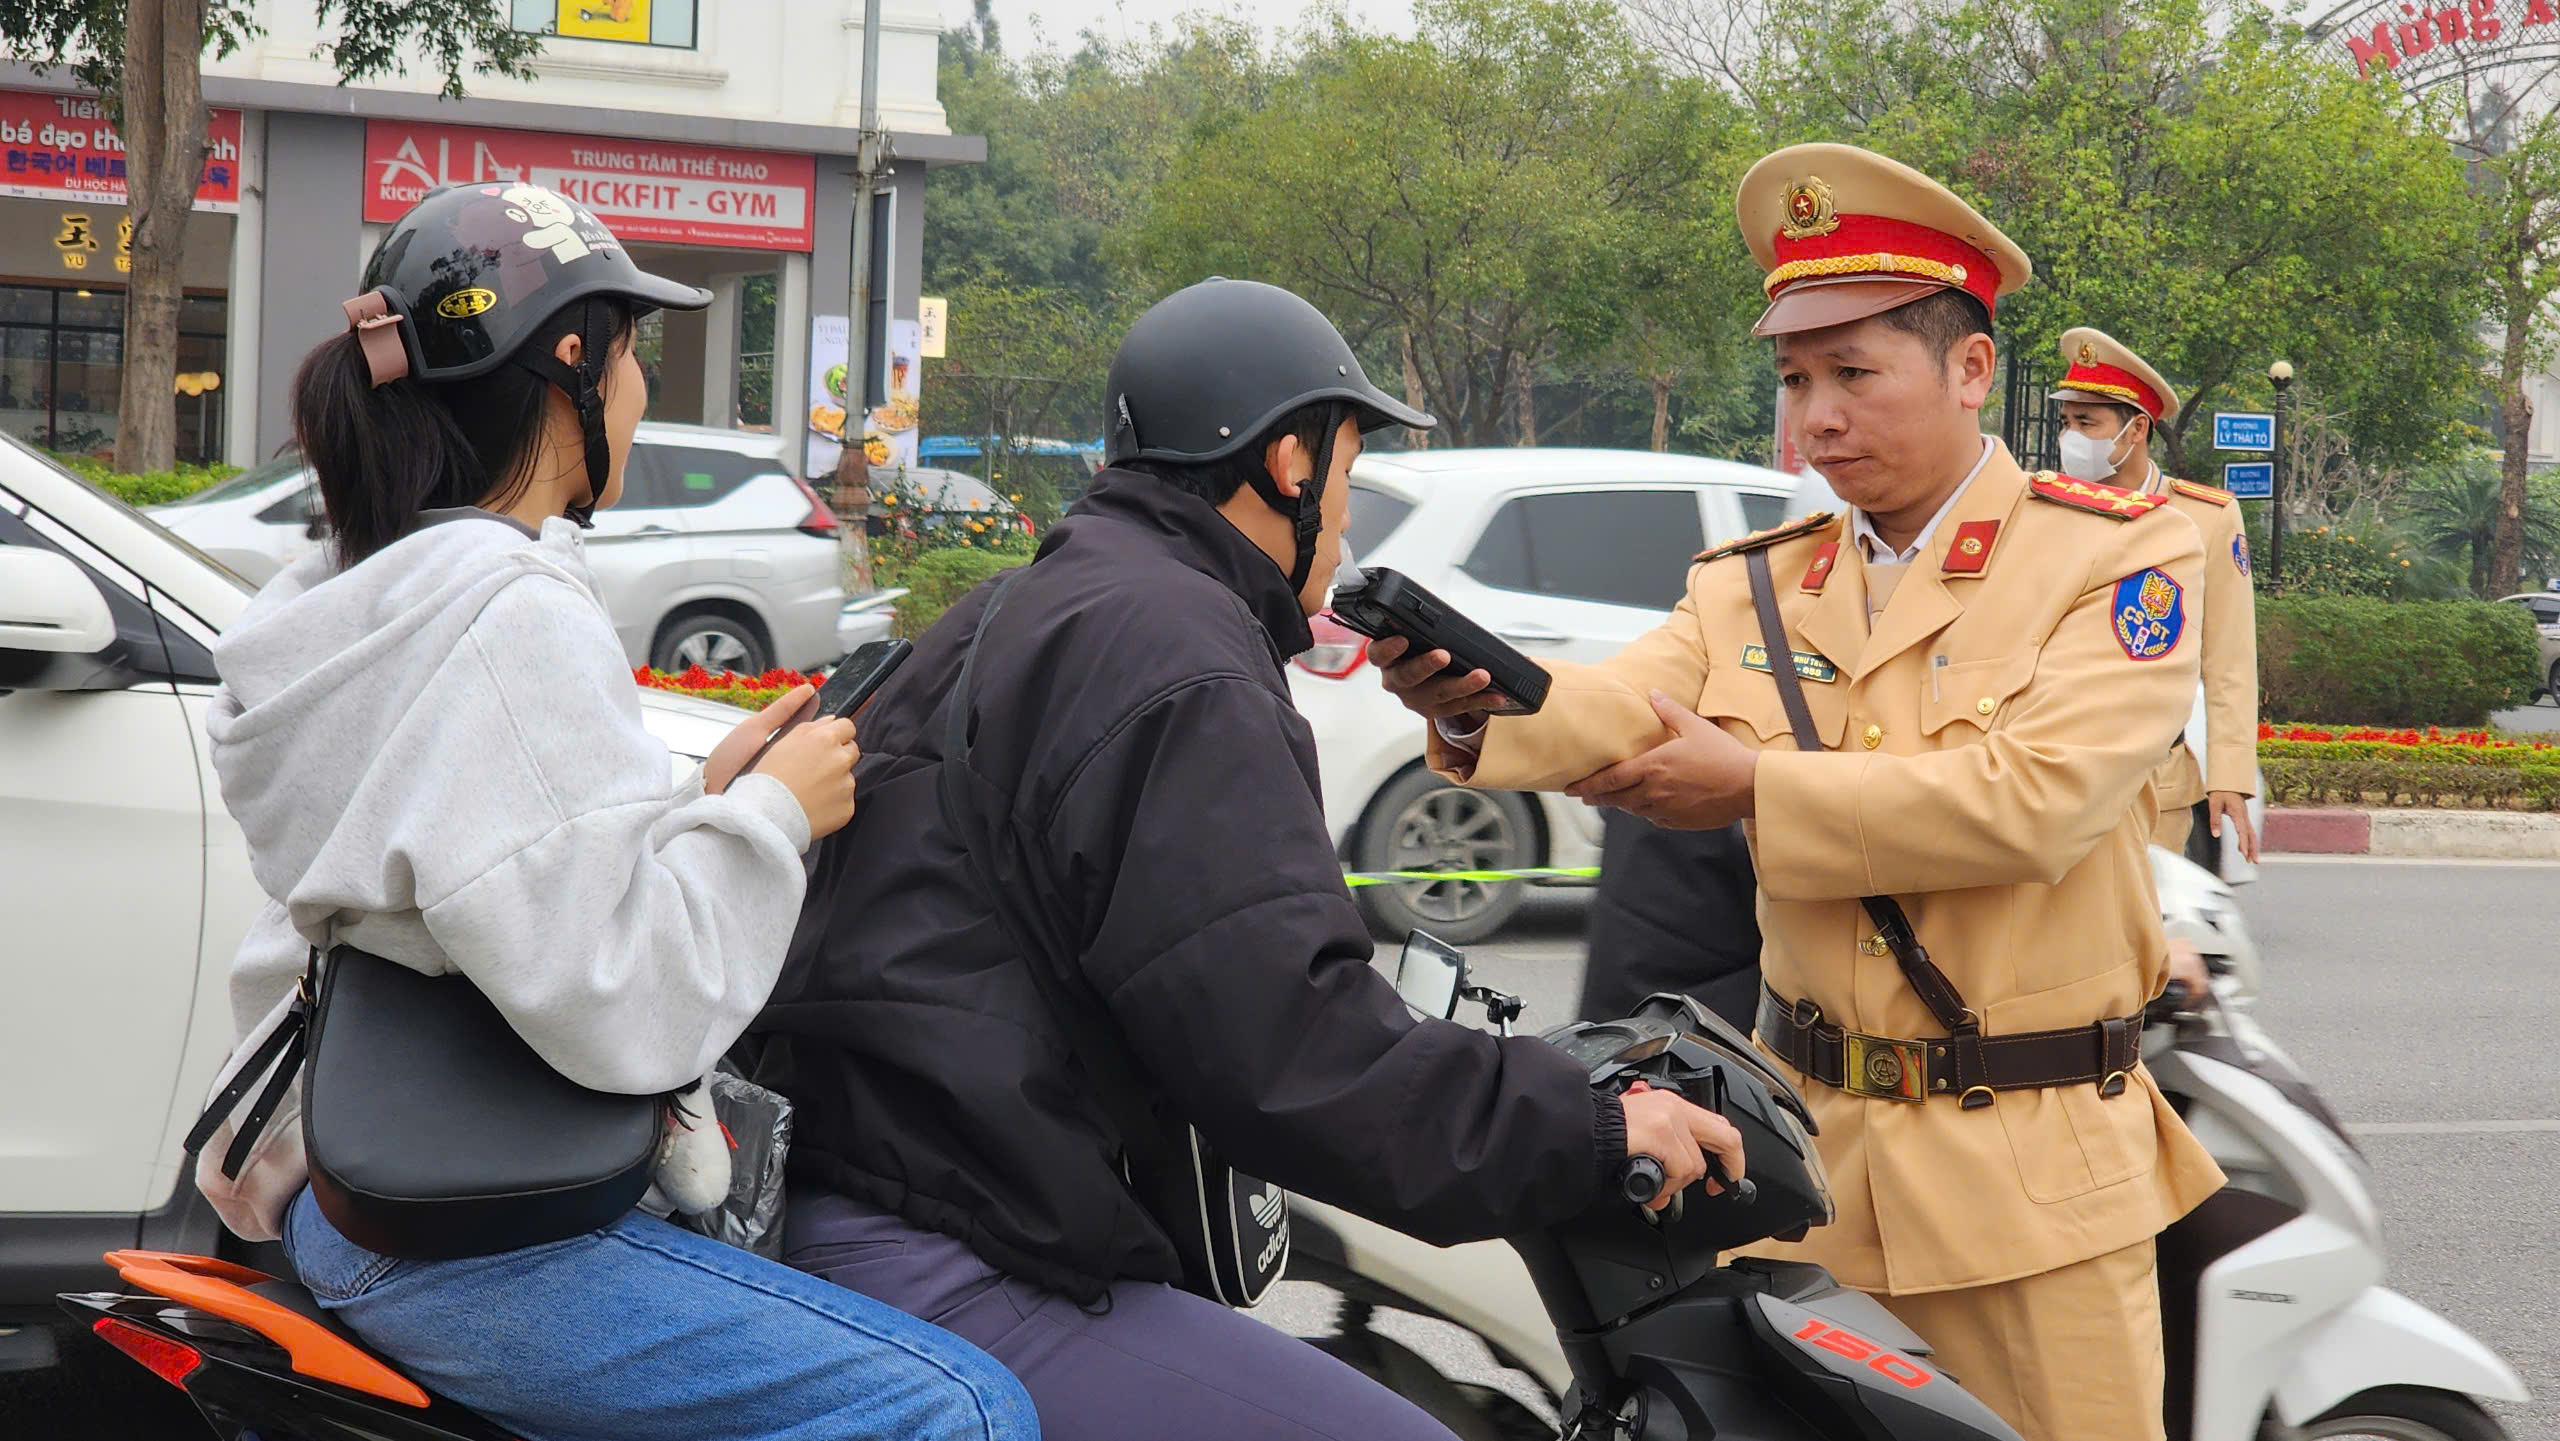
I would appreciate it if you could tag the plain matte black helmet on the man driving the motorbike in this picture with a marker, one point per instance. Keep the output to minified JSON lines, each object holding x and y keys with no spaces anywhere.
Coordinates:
{"x":1212,"y":367}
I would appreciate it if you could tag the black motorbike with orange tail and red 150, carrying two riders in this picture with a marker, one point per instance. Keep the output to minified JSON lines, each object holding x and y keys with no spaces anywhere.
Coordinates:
{"x":1658,"y":1337}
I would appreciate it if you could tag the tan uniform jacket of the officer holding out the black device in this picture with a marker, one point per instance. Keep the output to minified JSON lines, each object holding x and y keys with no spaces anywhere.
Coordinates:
{"x":1998,"y":800}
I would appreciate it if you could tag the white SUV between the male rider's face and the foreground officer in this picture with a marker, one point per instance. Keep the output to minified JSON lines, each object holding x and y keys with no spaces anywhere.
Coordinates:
{"x":1568,"y":557}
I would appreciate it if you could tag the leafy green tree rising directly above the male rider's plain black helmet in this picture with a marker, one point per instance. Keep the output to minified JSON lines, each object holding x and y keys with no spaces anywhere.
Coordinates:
{"x":1466,"y":201}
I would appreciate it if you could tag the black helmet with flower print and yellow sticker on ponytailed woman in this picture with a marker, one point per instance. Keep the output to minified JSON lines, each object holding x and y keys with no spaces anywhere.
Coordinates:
{"x":475,"y":270}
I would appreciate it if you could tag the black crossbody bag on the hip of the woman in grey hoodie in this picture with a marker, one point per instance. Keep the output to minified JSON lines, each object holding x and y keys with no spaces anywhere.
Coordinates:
{"x":431,"y":1127}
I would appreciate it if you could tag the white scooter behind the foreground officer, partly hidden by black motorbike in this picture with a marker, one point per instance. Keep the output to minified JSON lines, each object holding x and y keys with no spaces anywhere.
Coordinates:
{"x":2275,"y":1312}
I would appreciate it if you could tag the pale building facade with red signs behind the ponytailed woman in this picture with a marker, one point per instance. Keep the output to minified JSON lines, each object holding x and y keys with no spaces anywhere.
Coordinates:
{"x":716,"y":139}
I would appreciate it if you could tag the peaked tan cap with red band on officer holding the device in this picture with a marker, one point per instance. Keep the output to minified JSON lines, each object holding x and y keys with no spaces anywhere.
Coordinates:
{"x":1847,"y":234}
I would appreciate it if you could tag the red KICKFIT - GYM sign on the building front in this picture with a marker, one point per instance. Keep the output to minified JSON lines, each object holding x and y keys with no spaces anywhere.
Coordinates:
{"x":644,"y":191}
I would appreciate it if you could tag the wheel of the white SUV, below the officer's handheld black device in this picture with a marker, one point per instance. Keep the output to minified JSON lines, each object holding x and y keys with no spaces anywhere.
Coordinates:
{"x":1422,"y":823}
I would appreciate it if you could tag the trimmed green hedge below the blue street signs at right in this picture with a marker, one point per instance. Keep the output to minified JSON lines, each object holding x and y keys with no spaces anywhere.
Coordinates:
{"x":2395,"y":664}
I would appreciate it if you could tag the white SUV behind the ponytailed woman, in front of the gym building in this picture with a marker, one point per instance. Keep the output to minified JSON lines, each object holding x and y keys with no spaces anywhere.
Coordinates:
{"x":718,"y":554}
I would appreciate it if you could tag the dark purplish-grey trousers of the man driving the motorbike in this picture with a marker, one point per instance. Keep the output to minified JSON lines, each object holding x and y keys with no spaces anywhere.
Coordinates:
{"x":1151,"y":1363}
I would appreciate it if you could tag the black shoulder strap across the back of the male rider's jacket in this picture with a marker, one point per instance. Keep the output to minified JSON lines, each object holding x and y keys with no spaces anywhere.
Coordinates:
{"x":1079,"y":1015}
